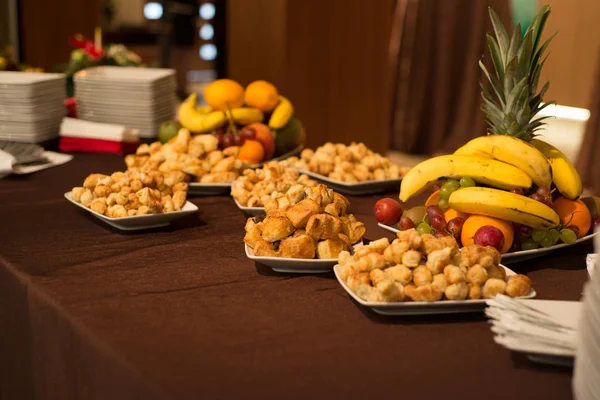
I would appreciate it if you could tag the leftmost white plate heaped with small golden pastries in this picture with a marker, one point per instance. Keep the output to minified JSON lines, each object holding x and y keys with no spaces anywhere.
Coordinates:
{"x":133,"y":201}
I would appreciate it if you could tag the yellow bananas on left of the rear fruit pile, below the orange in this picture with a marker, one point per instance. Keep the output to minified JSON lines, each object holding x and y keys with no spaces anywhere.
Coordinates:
{"x":204,"y":119}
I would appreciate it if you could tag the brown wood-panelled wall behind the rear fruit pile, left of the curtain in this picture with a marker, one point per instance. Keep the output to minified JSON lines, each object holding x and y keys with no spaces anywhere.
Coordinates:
{"x":330,"y":58}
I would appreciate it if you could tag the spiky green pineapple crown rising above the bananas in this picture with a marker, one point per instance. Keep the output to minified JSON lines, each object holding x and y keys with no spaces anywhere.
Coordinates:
{"x":513,"y":100}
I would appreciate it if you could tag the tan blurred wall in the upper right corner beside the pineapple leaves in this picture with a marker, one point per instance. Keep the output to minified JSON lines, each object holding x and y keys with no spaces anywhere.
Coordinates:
{"x":573,"y":61}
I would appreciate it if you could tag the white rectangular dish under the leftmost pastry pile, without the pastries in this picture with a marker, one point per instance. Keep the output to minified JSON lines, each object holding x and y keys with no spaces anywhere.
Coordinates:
{"x":139,"y":222}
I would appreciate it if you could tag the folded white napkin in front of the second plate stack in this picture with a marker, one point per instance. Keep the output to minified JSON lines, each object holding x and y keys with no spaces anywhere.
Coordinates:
{"x":79,"y":128}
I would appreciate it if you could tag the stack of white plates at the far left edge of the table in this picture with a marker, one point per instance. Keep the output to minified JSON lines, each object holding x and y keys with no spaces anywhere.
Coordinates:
{"x":31,"y":106}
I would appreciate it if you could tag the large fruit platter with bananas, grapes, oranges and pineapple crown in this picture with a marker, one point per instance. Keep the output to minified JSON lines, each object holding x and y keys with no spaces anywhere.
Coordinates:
{"x":510,"y":189}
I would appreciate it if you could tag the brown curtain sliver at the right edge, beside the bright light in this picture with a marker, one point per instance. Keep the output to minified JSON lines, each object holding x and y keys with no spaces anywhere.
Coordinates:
{"x":588,"y":162}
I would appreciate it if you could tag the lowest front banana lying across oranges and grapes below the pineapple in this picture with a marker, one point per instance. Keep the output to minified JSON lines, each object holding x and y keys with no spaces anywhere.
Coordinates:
{"x":504,"y":205}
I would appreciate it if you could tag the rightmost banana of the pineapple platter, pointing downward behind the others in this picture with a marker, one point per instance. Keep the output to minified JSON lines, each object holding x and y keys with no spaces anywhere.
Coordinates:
{"x":564,"y":174}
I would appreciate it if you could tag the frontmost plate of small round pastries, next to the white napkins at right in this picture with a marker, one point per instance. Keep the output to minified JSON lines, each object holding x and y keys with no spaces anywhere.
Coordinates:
{"x":421,"y":274}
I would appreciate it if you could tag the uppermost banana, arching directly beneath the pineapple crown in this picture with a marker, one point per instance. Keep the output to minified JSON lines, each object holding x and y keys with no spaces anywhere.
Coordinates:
{"x":513,"y":151}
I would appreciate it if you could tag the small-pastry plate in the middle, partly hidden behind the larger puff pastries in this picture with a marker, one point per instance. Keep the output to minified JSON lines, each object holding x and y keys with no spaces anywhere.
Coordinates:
{"x":255,"y":187}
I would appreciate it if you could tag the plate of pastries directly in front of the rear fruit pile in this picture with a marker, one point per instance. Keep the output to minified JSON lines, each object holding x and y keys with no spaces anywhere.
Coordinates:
{"x":209,"y":169}
